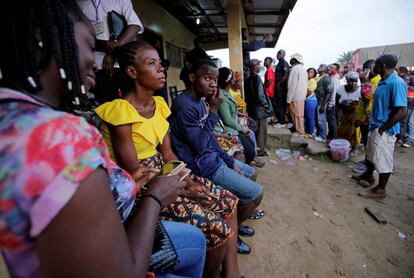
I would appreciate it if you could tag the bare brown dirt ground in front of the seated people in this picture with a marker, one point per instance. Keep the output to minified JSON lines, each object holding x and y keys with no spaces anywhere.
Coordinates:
{"x":343,"y":241}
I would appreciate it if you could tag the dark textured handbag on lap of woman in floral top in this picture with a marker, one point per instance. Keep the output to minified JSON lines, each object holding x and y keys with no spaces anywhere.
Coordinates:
{"x":164,"y":257}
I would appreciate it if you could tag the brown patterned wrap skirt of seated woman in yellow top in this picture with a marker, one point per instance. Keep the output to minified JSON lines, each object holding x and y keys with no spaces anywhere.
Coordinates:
{"x":211,"y":220}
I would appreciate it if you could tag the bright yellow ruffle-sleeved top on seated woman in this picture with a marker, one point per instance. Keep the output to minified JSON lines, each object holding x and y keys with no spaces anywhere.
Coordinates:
{"x":146,"y":133}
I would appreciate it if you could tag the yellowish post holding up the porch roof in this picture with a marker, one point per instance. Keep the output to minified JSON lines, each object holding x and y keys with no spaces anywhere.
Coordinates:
{"x":234,"y":26}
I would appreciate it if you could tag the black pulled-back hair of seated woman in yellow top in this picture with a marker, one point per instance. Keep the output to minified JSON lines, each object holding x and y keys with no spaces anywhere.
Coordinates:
{"x":126,"y":57}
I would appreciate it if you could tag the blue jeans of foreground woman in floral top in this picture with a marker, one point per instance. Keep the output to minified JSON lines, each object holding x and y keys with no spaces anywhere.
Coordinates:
{"x":190,"y":244}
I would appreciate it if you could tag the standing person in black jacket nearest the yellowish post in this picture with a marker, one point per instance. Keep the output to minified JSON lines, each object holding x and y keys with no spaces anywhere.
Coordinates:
{"x":258,"y":104}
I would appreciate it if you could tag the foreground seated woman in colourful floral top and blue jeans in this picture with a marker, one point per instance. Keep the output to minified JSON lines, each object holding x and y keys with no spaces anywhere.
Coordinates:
{"x":58,"y":214}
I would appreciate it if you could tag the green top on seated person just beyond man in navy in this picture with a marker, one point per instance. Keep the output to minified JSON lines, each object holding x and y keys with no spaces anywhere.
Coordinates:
{"x":228,"y":113}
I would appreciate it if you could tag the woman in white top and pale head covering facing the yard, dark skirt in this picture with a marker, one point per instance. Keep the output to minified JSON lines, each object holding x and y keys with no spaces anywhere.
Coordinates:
{"x":349,"y":96}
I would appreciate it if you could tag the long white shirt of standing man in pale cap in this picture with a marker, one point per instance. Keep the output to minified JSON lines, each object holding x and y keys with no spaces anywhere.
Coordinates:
{"x":297,"y":84}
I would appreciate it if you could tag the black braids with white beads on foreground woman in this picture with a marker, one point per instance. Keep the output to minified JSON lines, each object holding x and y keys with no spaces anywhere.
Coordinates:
{"x":20,"y":63}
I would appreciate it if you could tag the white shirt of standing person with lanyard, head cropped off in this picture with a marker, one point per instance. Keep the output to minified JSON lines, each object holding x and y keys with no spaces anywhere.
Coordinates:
{"x":123,"y":7}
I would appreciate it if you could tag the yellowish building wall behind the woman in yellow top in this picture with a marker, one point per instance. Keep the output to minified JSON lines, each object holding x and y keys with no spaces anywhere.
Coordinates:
{"x":161,"y":22}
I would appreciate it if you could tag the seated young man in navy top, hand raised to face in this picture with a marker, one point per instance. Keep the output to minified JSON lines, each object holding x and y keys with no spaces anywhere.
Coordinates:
{"x":194,"y":115}
